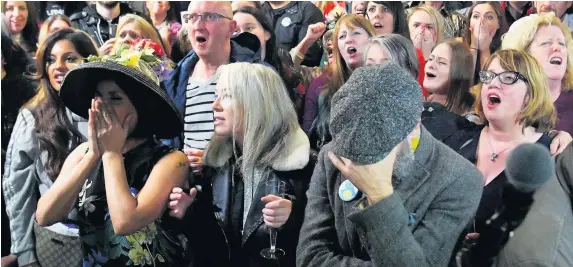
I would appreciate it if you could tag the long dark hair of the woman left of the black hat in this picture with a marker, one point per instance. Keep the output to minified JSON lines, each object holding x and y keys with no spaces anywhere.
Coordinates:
{"x":54,"y":130}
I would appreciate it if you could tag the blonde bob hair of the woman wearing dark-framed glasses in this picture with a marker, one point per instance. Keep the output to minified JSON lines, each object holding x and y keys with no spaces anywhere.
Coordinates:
{"x":538,"y":110}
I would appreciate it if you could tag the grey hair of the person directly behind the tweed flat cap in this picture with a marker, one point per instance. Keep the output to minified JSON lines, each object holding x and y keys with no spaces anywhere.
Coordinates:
{"x":399,"y":49}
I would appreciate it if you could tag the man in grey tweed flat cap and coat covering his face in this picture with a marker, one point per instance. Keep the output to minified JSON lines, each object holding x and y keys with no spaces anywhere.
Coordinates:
{"x":385,"y":192}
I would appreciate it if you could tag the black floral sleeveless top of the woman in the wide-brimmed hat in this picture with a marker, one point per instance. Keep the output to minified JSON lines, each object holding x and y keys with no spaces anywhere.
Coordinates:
{"x":161,"y":243}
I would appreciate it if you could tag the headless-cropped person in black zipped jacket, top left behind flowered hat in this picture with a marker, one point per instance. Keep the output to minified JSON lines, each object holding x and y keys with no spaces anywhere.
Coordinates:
{"x":100,"y":20}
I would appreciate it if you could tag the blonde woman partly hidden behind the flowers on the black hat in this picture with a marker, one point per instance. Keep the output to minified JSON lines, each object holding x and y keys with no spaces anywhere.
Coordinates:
{"x":129,"y":29}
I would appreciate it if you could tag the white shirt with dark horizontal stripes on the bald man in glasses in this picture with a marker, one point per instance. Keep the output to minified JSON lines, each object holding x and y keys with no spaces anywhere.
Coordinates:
{"x":199,"y":121}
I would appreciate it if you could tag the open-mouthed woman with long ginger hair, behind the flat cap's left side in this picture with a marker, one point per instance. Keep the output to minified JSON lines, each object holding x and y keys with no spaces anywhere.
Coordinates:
{"x":350,"y":37}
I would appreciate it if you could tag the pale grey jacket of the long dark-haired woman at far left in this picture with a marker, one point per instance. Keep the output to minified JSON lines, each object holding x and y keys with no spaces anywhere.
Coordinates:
{"x":25,"y":180}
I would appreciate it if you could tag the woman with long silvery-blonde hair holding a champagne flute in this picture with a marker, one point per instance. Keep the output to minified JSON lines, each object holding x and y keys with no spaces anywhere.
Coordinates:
{"x":254,"y":143}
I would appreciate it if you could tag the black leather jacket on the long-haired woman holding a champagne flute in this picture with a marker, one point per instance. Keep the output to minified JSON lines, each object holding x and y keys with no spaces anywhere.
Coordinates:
{"x":208,"y":223}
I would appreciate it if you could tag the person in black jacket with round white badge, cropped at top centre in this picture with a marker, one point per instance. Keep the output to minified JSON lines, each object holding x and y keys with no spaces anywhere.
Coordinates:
{"x":290,"y":20}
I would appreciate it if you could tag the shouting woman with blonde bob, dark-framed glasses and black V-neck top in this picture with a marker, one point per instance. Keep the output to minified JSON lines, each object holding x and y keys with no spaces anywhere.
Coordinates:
{"x":514,"y":102}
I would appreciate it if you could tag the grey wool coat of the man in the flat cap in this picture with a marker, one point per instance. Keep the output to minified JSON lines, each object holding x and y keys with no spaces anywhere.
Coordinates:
{"x":418,"y":225}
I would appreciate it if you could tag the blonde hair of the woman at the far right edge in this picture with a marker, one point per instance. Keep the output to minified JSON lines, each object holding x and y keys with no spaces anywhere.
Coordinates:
{"x":523,"y":32}
